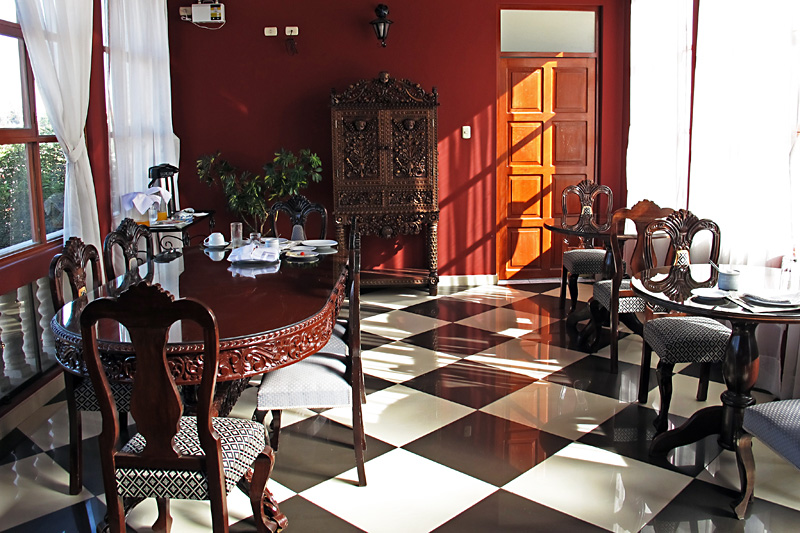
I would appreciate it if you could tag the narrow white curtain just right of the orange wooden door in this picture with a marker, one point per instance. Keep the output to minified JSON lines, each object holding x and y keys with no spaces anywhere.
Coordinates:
{"x":660,"y":97}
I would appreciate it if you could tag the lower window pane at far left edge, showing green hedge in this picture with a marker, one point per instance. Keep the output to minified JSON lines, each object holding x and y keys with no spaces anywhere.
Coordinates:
{"x":15,"y":200}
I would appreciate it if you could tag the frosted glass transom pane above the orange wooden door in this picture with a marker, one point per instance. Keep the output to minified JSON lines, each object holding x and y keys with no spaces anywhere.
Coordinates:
{"x":546,"y":31}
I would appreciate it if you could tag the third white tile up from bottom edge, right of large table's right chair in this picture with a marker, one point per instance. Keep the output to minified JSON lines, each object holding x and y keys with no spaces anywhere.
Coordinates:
{"x":399,"y":361}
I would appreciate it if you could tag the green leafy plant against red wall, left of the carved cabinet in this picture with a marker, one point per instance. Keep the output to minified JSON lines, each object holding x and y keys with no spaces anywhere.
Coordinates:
{"x":247,"y":193}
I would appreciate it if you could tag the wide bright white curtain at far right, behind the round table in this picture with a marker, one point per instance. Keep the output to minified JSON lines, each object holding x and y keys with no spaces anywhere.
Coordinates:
{"x":745,"y":128}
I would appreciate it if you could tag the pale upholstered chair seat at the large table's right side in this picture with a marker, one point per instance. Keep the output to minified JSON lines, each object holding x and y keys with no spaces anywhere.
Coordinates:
{"x":317,"y":381}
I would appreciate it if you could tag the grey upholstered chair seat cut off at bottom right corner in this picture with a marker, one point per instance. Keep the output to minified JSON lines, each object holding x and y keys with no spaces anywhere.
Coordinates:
{"x":776,"y":424}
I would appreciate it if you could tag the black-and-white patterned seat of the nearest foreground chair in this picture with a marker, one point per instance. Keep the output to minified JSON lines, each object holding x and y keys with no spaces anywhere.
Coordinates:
{"x":241,"y":442}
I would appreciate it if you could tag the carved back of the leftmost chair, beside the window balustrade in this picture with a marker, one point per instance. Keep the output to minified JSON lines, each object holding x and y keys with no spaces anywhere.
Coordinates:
{"x":72,"y":261}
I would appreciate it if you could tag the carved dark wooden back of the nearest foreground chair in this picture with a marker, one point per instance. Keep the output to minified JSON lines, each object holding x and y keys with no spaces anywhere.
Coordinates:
{"x":147,"y":312}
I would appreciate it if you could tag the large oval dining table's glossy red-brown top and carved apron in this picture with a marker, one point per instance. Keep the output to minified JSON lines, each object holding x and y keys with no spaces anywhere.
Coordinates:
{"x":265,"y":322}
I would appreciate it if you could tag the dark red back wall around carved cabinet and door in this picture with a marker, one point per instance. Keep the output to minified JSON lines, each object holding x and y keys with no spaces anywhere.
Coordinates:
{"x":240,"y":92}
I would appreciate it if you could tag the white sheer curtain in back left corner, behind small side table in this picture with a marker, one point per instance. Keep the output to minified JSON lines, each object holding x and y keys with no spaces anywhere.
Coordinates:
{"x":139,"y":96}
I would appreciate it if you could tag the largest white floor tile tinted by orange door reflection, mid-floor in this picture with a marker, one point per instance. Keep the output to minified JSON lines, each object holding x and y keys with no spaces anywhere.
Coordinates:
{"x":556,"y":409}
